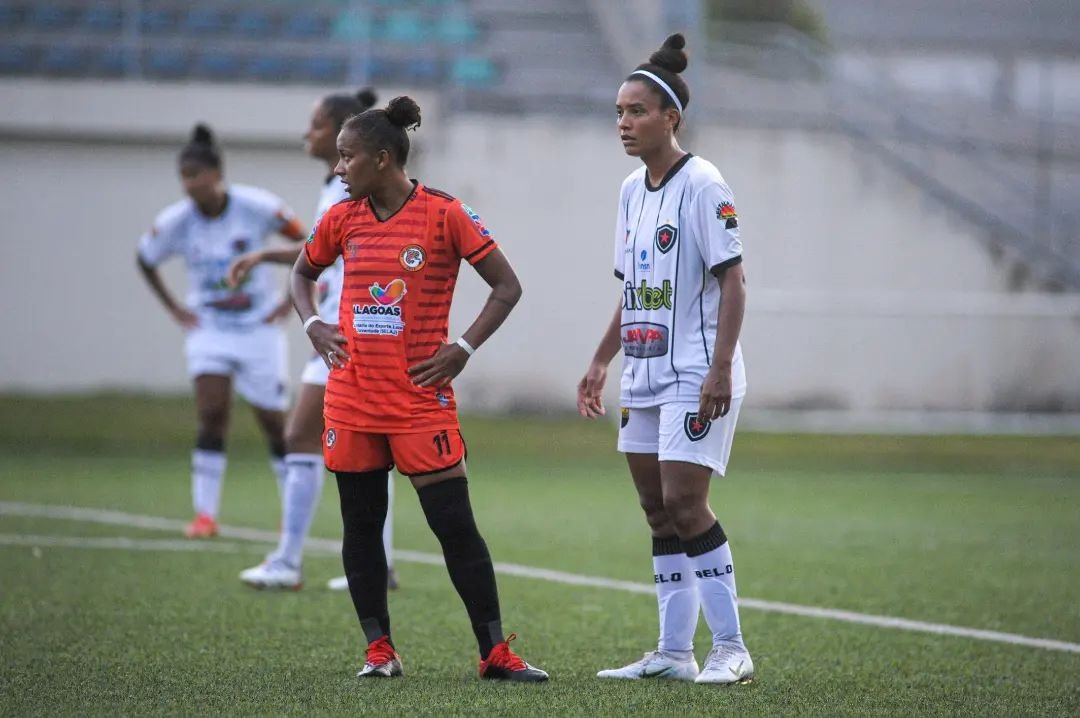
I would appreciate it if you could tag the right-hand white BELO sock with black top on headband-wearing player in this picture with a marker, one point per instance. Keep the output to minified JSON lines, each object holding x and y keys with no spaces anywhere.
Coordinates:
{"x":711,"y":558}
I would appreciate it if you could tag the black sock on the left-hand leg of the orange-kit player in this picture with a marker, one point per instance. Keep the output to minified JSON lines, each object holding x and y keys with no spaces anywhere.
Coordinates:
{"x":364,"y":503}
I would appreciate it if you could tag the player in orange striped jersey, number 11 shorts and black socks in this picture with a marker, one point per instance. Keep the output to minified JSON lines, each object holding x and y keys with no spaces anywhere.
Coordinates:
{"x":389,"y":401}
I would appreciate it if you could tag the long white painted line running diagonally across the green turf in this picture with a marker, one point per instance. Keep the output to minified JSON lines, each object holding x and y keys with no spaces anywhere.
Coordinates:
{"x":327,"y":546}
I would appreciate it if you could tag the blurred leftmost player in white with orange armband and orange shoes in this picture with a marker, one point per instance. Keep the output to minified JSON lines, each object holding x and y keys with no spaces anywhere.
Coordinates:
{"x":232,"y":332}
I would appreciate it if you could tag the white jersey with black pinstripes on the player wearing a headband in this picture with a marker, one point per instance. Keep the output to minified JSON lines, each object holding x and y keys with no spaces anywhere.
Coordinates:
{"x":668,"y":240}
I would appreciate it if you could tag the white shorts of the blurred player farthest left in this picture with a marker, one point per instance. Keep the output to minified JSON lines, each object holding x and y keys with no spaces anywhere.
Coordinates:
{"x":255,"y":359}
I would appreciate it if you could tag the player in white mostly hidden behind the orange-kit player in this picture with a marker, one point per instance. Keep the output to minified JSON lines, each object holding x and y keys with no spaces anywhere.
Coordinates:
{"x":304,"y":458}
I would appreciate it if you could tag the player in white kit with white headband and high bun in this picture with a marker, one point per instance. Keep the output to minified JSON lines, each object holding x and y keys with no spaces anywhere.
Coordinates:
{"x":680,"y":258}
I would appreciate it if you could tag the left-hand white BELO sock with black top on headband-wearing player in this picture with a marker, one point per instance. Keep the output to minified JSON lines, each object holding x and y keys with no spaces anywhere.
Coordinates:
{"x":677,"y":598}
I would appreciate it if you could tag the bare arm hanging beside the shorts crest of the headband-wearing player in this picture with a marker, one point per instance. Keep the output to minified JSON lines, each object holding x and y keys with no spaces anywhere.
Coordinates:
{"x":717,"y":389}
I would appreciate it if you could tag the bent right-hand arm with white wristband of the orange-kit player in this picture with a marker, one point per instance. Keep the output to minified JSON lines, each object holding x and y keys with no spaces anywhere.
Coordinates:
{"x":450,"y":360}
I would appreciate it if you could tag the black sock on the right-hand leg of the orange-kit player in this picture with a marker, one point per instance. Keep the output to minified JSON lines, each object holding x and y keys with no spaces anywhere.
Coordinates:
{"x":450,"y":516}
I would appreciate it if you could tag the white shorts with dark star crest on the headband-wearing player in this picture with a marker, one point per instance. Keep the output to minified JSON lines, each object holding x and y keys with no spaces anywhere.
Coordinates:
{"x":672,"y":432}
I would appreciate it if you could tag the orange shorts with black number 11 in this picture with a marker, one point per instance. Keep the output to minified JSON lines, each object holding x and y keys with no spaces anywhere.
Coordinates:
{"x":414,"y":455}
